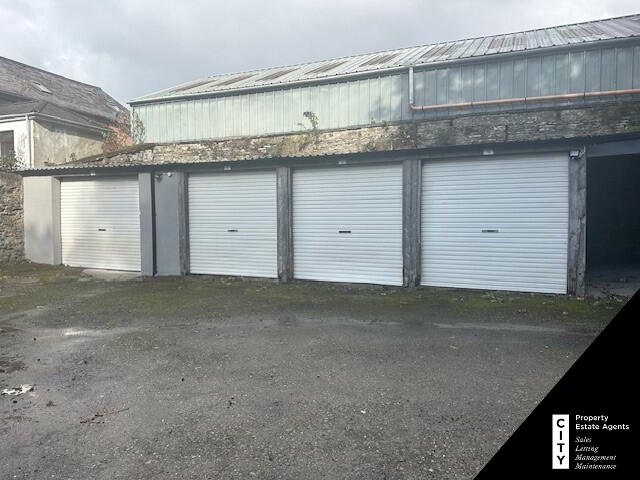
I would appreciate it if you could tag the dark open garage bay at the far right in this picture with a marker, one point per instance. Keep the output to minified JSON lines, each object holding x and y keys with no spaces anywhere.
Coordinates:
{"x":613,"y":225}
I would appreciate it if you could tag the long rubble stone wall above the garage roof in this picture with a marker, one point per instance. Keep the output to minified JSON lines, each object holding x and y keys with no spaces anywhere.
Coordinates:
{"x":488,"y":128}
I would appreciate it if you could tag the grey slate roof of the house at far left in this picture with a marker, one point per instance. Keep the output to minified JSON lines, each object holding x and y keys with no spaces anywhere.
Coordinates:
{"x":60,"y":93}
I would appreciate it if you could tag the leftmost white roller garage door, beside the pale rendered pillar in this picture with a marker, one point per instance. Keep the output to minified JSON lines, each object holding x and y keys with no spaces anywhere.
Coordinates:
{"x":100,"y":223}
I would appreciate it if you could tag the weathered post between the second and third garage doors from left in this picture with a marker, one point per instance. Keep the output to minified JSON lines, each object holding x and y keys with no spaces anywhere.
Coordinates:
{"x":285,"y":233}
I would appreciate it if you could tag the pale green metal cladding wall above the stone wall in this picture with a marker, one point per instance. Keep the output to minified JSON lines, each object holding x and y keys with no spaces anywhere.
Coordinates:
{"x":385,"y":98}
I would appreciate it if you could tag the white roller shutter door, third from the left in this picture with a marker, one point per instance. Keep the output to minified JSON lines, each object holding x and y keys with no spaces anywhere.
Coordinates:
{"x":347,"y":224}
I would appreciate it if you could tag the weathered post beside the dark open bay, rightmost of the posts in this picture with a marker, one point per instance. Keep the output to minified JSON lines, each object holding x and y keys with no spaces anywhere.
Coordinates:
{"x":577,"y":245}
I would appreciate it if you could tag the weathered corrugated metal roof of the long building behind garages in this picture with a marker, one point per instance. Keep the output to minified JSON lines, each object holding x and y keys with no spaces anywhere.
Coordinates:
{"x":565,"y":35}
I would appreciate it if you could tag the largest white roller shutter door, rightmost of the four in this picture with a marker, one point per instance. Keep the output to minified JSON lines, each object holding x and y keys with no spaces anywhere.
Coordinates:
{"x":496,"y":223}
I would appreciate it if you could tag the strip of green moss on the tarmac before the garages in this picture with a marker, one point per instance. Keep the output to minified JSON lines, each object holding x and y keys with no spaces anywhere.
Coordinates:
{"x":205,"y":296}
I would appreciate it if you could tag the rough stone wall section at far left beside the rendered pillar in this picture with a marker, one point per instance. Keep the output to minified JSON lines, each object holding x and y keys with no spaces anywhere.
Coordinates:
{"x":11,"y":226}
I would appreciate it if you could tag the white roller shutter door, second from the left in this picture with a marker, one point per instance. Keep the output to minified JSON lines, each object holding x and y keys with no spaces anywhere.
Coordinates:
{"x":233,"y":223}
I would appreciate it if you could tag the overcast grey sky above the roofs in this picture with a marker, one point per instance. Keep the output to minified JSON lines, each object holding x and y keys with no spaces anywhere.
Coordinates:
{"x":134,"y":47}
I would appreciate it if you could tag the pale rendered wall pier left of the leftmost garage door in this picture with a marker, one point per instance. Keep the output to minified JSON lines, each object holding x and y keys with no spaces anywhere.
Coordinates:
{"x":42,"y":220}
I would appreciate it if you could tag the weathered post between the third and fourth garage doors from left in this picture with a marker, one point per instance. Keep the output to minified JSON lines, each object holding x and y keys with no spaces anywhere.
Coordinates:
{"x":411,"y":198}
